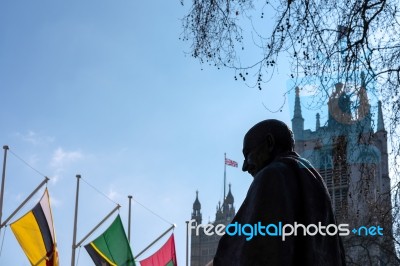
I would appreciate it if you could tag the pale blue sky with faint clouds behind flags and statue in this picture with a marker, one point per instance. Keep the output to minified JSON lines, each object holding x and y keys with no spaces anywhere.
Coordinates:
{"x":104,"y":89}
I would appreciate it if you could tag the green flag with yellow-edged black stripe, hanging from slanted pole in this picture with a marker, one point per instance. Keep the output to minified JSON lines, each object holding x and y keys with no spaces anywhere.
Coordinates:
{"x":112,"y":247}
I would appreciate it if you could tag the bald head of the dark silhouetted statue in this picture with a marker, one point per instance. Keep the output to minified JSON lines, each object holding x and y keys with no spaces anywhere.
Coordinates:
{"x":263,"y":142}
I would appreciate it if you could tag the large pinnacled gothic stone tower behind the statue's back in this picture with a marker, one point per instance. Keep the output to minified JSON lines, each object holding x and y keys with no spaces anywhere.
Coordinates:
{"x":353,"y":160}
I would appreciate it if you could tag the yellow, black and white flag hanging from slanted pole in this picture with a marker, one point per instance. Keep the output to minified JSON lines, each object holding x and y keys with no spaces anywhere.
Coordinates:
{"x":35,"y":234}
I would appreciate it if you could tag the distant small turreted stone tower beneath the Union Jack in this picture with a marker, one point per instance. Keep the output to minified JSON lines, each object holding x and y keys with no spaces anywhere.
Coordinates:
{"x":203,"y":247}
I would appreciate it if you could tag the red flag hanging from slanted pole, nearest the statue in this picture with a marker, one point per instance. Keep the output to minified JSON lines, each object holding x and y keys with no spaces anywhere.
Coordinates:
{"x":165,"y":256}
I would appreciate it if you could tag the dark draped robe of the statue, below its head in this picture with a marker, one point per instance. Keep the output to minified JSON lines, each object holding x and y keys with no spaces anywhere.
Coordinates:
{"x":288,"y":190}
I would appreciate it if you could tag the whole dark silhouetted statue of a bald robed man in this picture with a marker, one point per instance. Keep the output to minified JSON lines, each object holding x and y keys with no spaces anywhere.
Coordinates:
{"x":286,"y":190}
